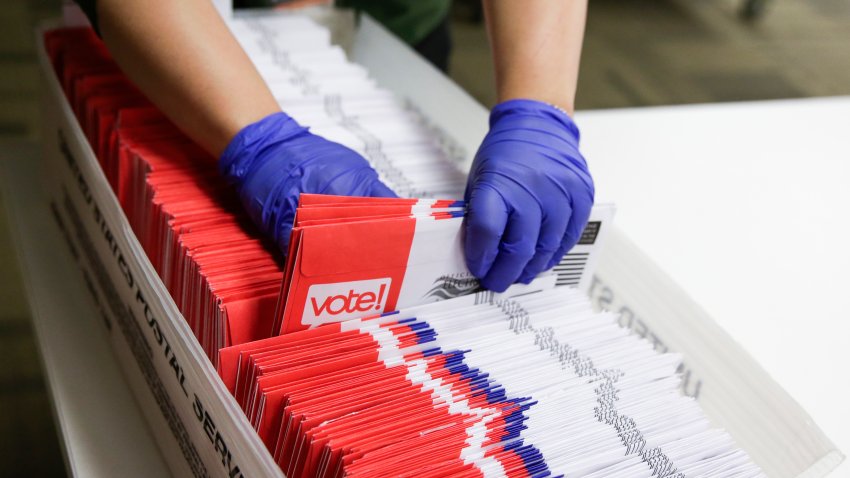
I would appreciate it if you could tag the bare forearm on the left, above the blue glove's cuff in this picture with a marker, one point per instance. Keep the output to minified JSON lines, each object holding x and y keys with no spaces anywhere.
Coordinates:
{"x":183,"y":57}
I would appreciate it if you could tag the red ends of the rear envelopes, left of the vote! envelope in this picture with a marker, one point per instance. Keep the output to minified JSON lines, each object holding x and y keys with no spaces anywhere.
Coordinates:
{"x":222,"y":275}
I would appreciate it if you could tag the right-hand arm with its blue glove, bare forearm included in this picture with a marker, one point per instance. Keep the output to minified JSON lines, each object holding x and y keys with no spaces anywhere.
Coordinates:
{"x":529,"y":191}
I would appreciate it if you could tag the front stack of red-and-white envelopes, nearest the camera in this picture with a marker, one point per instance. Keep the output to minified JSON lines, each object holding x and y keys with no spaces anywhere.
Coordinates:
{"x":483,"y":385}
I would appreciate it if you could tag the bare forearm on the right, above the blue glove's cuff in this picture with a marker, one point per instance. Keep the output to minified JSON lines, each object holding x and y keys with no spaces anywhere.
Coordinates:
{"x":536,"y":48}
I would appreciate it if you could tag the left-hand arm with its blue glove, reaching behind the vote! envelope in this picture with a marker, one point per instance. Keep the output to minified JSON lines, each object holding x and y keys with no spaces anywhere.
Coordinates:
{"x":183,"y":57}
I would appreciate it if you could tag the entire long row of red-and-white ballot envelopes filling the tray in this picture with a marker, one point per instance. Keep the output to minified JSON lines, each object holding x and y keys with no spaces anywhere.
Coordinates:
{"x":368,"y":349}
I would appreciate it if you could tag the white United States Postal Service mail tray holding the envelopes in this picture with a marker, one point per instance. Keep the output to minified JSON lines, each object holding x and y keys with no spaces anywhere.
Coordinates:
{"x":199,"y":427}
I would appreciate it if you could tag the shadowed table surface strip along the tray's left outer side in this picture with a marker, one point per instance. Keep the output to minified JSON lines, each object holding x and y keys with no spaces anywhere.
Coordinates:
{"x":102,"y":430}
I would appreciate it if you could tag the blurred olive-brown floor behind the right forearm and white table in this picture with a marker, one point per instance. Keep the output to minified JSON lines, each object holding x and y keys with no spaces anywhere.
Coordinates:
{"x":662,"y":52}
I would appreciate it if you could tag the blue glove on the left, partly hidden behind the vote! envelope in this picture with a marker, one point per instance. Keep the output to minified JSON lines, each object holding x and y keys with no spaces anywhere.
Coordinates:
{"x":272,"y":161}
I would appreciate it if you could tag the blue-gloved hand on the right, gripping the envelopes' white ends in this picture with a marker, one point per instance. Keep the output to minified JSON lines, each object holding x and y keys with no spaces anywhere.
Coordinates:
{"x":529,"y":194}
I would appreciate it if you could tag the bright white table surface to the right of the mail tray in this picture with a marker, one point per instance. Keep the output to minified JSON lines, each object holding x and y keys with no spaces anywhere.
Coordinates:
{"x":745,"y":205}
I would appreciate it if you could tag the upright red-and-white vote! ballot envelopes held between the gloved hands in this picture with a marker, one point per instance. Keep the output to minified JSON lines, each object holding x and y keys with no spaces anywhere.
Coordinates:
{"x":360,"y":264}
